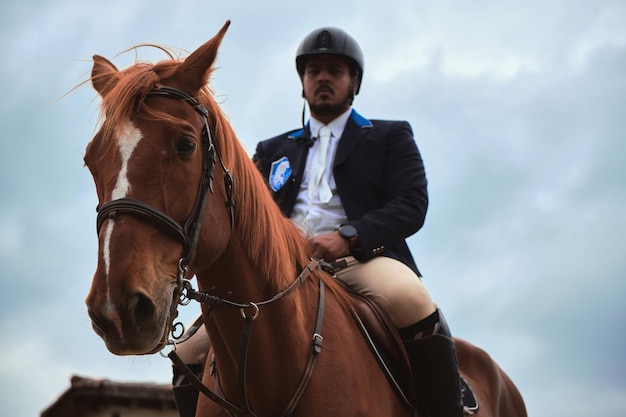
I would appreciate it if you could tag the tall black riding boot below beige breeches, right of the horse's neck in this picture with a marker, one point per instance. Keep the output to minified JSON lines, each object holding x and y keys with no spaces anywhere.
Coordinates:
{"x":436,"y":372}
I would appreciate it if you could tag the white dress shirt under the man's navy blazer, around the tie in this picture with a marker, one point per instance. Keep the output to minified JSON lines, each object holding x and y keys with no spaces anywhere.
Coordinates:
{"x":310,"y":215}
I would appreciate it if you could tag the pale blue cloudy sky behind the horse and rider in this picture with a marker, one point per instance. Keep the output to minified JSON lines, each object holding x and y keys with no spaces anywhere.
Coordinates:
{"x":518,"y":109}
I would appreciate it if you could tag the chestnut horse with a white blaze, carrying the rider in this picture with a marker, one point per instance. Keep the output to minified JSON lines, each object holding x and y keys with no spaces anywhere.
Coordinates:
{"x":179,"y":197}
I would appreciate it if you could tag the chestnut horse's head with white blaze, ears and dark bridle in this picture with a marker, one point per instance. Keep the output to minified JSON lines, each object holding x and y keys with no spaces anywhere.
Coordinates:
{"x":152,"y":162}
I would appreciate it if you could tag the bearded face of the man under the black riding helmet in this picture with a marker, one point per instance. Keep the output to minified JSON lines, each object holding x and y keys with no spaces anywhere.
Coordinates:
{"x":328,"y":85}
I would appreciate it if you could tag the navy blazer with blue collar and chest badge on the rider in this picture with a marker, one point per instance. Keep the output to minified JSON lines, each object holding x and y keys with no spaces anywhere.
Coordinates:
{"x":380,"y":179}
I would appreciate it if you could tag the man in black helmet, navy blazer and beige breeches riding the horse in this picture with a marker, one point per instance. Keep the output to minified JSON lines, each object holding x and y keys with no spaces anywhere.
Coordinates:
{"x":357,"y":190}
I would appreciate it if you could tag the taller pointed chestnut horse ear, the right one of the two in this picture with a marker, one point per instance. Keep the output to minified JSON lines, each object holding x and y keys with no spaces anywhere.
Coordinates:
{"x":195,"y":71}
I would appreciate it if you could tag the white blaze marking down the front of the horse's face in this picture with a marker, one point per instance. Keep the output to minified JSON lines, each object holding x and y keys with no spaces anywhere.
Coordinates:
{"x":127,"y":142}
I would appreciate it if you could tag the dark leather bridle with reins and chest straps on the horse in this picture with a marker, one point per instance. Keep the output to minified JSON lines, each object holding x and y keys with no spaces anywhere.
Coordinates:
{"x":188,"y":233}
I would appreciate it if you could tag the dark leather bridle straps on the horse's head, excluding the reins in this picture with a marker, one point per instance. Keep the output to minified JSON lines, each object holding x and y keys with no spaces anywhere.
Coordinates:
{"x":188,"y":232}
